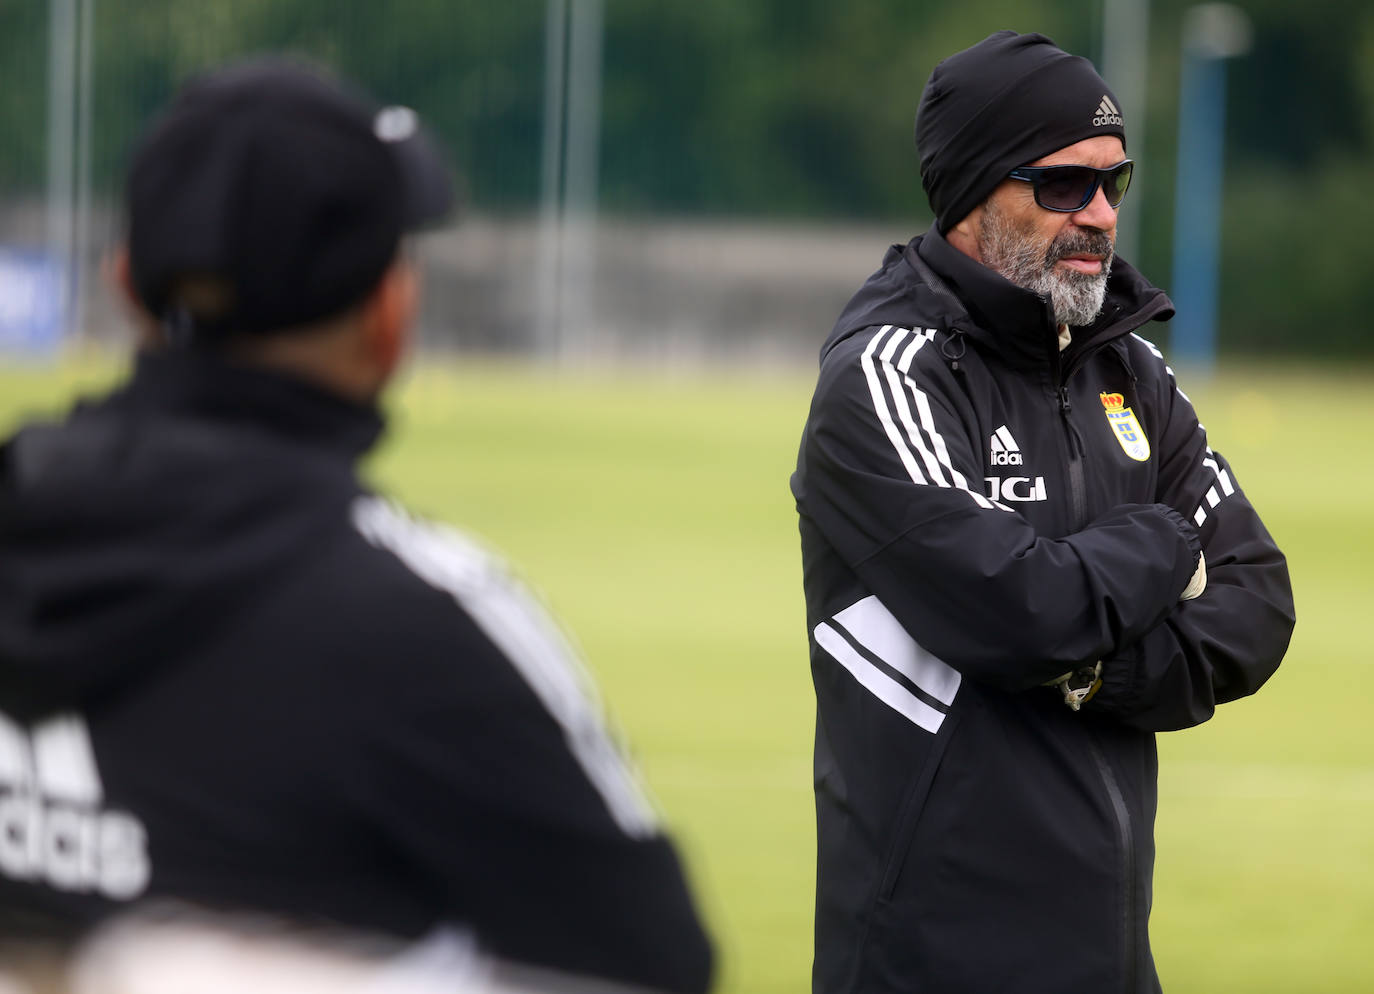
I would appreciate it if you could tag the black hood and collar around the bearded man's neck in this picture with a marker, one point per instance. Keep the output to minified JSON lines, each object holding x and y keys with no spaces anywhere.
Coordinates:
{"x":931,"y":283}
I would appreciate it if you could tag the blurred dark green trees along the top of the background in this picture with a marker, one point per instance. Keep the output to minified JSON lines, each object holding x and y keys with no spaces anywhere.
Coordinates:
{"x":780,"y":109}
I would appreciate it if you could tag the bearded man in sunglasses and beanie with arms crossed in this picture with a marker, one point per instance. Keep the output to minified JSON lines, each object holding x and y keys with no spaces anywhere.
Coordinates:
{"x":1022,"y":560}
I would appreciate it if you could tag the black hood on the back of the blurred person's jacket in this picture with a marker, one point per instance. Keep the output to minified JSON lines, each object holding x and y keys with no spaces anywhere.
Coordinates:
{"x":145,"y":522}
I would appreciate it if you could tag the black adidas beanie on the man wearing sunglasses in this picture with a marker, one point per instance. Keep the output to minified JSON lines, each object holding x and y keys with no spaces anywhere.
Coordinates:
{"x":1000,"y":105}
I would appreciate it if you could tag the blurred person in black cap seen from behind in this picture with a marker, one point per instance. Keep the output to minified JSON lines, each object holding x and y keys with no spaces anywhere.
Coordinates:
{"x":234,"y":677}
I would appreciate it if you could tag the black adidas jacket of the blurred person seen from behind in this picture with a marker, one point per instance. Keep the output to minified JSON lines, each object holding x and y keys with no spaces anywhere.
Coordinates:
{"x":233,"y":677}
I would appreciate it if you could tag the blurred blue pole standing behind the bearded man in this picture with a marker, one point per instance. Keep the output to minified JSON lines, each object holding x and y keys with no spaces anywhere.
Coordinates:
{"x":1197,"y":204}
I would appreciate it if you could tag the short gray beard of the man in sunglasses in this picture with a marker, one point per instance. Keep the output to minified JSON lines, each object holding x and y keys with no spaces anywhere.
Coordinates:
{"x":1075,"y":298}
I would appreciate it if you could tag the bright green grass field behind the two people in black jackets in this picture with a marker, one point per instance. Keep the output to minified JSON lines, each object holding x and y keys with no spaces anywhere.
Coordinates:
{"x":653,"y":513}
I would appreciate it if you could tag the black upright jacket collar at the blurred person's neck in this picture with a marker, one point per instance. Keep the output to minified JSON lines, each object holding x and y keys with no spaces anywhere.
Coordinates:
{"x":204,"y":386}
